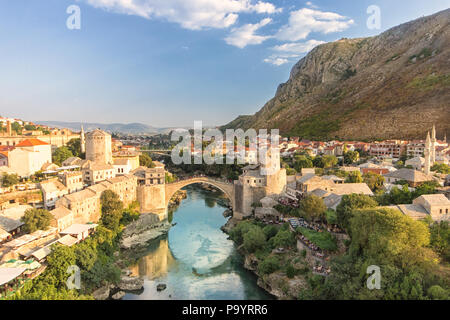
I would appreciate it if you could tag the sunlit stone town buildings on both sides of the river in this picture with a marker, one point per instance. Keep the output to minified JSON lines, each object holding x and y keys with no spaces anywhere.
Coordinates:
{"x":35,"y":177}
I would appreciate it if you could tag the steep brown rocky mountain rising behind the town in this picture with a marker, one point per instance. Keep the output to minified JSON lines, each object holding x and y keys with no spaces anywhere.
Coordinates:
{"x":395,"y":85}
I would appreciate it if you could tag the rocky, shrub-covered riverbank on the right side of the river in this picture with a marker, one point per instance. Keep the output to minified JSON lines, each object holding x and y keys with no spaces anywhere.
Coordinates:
{"x":284,"y":266}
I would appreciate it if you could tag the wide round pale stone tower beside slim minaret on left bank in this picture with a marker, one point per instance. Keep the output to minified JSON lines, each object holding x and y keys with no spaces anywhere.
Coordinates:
{"x":98,"y":147}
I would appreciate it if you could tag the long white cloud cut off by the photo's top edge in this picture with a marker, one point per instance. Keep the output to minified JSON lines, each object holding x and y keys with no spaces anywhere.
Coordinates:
{"x":190,"y":14}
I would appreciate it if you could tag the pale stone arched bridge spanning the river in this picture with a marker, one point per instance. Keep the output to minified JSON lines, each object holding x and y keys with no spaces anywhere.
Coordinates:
{"x":226,"y":187}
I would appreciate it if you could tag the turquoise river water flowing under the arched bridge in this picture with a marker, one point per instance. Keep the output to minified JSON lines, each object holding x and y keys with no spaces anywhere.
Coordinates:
{"x":195,"y":260}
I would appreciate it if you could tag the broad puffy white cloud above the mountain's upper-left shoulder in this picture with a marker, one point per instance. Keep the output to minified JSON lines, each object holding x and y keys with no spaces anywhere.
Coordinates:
{"x":304,"y":21}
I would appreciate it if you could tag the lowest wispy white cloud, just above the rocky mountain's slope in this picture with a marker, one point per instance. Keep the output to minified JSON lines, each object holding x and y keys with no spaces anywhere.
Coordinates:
{"x":289,"y":51}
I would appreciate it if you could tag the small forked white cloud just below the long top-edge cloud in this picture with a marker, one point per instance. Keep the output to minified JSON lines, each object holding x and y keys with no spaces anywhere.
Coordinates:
{"x":245,"y":35}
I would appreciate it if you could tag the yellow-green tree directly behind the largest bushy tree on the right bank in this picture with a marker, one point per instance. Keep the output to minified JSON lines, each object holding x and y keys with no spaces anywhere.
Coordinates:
{"x":348,"y":204}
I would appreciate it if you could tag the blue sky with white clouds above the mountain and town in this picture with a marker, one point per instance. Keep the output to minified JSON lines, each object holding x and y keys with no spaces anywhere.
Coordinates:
{"x":168,"y":62}
